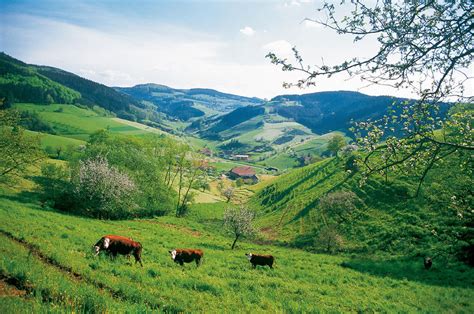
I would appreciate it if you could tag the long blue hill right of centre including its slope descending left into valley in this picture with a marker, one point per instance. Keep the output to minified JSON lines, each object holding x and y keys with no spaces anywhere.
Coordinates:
{"x":322,"y":112}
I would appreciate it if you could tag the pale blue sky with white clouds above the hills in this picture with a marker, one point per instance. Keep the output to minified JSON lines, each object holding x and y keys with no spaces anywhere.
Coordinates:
{"x":181,"y":44}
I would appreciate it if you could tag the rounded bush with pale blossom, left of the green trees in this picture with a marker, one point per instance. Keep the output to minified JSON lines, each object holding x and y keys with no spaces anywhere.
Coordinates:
{"x":103,"y":191}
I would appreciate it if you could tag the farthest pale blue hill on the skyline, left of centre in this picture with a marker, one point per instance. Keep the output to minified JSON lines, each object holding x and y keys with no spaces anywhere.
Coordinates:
{"x":184,"y":104}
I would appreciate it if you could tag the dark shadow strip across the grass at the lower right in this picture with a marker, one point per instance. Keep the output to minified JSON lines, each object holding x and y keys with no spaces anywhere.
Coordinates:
{"x":441,"y":274}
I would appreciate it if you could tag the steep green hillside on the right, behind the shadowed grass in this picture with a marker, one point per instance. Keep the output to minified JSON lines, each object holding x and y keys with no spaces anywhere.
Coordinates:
{"x":388,"y":218}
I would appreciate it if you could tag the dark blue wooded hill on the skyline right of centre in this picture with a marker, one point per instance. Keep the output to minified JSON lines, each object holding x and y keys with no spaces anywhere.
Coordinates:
{"x":324,"y":112}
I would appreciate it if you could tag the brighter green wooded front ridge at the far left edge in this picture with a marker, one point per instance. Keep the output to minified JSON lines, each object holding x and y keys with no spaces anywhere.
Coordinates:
{"x":20,"y":82}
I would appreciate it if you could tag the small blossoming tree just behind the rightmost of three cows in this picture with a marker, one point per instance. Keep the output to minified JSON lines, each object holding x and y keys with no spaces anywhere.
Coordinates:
{"x":239,"y":222}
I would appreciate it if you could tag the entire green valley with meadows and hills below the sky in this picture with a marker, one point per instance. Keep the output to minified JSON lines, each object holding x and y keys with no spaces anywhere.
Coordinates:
{"x":164,"y":167}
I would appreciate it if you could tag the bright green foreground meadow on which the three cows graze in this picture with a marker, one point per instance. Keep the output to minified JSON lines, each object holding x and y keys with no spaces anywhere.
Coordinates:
{"x":300,"y":282}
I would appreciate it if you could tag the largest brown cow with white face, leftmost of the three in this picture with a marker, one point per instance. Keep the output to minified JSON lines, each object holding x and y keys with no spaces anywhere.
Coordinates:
{"x":114,"y":245}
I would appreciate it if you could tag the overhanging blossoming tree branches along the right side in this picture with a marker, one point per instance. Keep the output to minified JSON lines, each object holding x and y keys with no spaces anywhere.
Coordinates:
{"x":424,"y":46}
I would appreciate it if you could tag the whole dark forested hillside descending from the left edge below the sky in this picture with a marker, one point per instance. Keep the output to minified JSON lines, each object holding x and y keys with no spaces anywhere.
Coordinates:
{"x":21,"y":82}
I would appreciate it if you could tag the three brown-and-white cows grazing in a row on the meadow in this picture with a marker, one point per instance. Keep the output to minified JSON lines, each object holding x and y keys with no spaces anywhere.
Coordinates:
{"x":113,"y":245}
